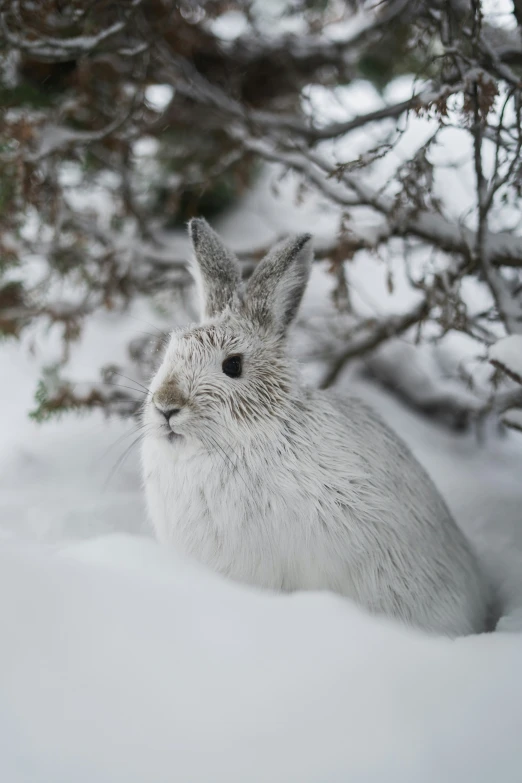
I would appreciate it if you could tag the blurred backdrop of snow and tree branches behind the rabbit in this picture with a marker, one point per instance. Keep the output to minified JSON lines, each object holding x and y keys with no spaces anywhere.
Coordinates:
{"x":390,"y":130}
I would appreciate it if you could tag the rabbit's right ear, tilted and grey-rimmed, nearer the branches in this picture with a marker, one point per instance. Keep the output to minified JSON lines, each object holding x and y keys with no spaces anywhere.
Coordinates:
{"x":275,"y":290}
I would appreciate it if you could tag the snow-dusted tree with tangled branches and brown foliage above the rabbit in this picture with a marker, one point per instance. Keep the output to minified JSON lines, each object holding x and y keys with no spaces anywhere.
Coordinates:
{"x":78,"y":78}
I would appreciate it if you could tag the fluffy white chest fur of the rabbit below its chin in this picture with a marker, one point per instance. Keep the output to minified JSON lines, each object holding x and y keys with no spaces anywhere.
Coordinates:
{"x":236,"y":521}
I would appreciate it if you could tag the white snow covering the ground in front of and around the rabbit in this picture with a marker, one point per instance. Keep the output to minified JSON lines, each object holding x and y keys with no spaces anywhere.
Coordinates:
{"x":120,"y":662}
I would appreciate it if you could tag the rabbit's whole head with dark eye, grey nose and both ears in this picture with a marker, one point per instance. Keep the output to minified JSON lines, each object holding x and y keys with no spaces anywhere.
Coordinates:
{"x":230,"y":373}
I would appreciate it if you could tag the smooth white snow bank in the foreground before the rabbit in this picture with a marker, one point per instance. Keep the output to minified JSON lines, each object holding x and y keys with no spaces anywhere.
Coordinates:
{"x":146,"y":668}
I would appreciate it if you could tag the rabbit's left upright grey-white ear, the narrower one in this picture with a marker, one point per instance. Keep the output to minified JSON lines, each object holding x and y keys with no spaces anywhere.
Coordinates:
{"x":215,"y":269}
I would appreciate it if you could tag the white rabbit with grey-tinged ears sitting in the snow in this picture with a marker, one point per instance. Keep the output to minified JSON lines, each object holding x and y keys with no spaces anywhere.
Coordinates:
{"x":286,"y":487}
